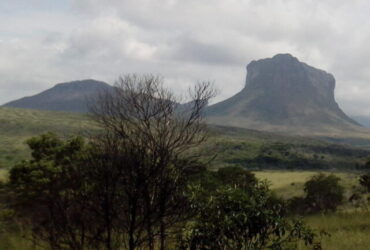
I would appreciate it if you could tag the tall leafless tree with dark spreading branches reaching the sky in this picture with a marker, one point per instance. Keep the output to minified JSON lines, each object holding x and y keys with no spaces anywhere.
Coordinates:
{"x":151,"y":135}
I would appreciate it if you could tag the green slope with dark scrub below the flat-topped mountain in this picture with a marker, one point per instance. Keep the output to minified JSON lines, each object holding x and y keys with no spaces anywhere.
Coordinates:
{"x":261,"y":150}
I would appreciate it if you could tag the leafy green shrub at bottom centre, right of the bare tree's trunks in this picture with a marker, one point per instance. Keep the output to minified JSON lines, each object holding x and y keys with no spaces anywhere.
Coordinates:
{"x":231,"y":218}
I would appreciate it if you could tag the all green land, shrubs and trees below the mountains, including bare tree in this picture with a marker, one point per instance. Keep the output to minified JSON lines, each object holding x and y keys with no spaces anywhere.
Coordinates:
{"x":141,"y":174}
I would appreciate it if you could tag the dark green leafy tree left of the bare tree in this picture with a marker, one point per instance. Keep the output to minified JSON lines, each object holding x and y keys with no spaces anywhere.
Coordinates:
{"x":48,"y":193}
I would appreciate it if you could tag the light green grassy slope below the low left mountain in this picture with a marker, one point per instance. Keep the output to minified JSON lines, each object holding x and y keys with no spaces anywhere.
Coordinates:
{"x":18,"y":125}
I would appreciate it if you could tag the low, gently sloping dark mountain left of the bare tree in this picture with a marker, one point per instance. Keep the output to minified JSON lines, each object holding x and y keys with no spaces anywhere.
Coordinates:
{"x":68,"y":97}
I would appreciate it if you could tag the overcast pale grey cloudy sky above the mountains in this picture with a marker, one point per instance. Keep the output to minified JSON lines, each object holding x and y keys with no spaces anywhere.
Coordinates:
{"x":44,"y":42}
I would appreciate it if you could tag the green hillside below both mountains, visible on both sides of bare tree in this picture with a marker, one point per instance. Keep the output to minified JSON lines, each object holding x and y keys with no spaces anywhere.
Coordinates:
{"x":228,"y":146}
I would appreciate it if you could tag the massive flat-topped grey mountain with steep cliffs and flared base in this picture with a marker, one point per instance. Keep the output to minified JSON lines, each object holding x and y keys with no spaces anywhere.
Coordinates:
{"x":283,"y":94}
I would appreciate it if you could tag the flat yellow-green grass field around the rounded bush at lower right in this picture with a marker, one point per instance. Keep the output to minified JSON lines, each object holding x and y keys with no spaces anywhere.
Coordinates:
{"x":348,"y":228}
